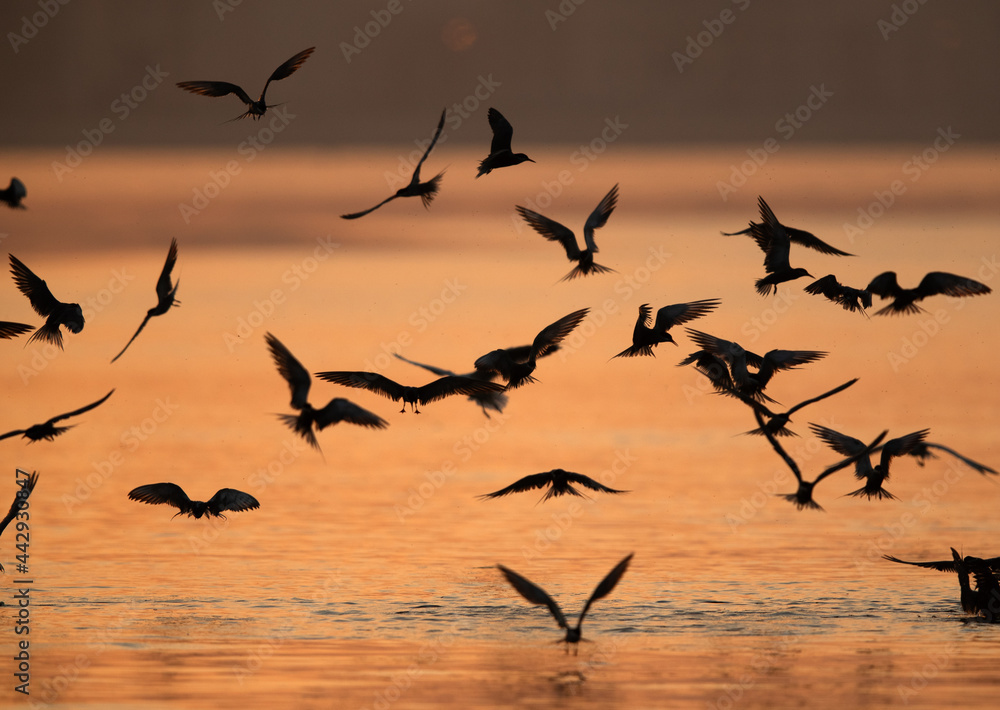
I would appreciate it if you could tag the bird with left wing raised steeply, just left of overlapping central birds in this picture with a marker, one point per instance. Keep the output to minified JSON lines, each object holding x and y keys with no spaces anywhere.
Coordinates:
{"x":337,"y":409}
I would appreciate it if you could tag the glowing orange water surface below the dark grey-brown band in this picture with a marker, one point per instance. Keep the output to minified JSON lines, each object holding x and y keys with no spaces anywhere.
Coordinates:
{"x":367,"y":578}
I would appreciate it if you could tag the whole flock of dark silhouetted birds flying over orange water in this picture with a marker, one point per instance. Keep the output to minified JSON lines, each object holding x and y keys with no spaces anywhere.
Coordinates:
{"x":732,"y":370}
